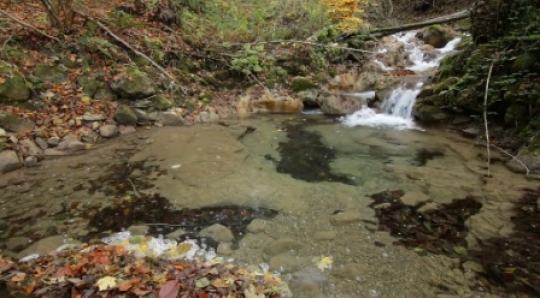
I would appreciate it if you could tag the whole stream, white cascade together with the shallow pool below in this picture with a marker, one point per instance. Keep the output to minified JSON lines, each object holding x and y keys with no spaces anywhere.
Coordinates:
{"x":291,"y":188}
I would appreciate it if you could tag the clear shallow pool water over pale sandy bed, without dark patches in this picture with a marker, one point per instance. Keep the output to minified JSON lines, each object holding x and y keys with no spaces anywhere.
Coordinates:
{"x":207,"y":165}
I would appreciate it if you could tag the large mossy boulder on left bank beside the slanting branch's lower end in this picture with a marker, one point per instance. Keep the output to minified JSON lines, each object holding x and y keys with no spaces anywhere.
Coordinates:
{"x":138,"y":86}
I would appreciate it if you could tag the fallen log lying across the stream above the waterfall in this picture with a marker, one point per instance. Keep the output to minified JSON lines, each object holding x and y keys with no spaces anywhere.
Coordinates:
{"x":381,"y":32}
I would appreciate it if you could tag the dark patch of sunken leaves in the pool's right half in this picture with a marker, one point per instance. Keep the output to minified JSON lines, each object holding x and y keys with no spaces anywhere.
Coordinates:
{"x":440,"y":231}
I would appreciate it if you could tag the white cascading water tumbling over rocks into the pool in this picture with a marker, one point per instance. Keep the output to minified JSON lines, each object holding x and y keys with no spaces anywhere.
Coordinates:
{"x":396,"y":109}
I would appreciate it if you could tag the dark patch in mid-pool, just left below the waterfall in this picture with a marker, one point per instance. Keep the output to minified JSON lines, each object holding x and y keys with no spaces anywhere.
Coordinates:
{"x":305,"y":157}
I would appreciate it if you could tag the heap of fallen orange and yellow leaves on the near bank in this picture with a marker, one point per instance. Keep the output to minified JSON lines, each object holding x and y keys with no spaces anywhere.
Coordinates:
{"x":111,"y":271}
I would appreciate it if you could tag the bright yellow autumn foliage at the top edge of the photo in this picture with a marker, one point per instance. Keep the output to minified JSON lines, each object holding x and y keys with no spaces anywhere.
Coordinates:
{"x":345,"y":12}
